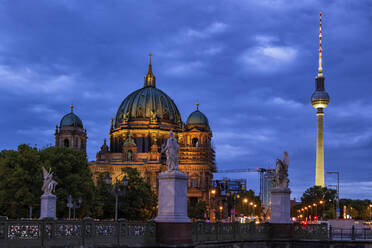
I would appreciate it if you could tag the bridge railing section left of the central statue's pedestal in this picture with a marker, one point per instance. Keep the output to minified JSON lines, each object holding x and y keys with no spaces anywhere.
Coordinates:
{"x":86,"y":232}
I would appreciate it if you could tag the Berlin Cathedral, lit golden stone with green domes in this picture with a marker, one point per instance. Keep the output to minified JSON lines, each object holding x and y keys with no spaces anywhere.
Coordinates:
{"x":138,"y":133}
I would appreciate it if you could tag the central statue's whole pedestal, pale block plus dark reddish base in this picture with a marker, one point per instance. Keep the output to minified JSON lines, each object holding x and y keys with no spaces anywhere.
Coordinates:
{"x":173,"y":225}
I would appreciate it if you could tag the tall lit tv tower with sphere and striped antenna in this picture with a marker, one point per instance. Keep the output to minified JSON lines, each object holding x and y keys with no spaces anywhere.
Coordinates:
{"x":320,"y":100}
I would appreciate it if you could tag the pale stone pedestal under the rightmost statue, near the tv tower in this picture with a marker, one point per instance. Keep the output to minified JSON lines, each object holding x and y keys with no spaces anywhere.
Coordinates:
{"x":280,"y":205}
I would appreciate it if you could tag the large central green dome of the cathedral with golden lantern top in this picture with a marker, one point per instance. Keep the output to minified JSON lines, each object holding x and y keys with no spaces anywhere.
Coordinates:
{"x":148,"y":103}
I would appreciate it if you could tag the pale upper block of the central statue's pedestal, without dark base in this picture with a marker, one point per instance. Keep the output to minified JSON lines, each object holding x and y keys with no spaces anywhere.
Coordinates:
{"x":172,"y":197}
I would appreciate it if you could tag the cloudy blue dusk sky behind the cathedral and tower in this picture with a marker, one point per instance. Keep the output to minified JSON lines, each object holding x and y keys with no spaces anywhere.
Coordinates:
{"x":250,"y":64}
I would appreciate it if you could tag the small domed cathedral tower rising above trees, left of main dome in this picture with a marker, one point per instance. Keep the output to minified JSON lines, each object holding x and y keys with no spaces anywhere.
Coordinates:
{"x":71,"y":133}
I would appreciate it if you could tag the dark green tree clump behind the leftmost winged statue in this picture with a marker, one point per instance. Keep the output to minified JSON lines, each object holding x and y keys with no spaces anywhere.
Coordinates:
{"x":21,"y":180}
